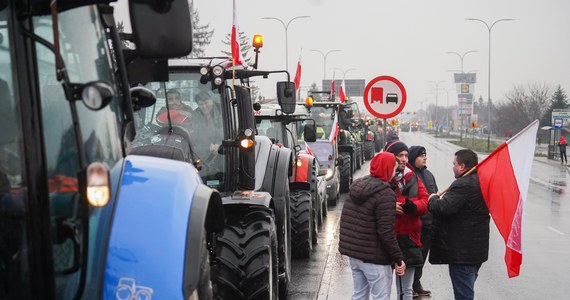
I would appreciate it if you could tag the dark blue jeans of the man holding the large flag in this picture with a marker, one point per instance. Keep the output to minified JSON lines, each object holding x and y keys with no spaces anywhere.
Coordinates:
{"x":463,"y":280}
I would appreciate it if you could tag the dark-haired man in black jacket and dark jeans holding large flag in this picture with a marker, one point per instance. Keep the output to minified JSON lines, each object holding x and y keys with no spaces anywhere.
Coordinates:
{"x":460,"y":229}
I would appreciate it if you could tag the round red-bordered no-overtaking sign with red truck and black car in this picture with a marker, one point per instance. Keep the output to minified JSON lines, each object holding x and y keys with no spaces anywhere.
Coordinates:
{"x":384,"y":97}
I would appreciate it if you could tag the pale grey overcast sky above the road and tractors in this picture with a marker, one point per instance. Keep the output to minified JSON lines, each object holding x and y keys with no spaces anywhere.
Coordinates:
{"x":407,"y":39}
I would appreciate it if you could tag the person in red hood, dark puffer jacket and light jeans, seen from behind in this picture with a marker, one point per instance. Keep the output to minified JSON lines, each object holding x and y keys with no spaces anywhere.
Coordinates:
{"x":367,"y":230}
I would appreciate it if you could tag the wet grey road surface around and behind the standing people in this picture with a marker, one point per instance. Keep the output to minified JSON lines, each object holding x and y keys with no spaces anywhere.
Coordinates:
{"x":546,"y":241}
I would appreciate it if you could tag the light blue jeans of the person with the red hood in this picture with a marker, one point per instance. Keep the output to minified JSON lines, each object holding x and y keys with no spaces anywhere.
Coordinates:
{"x":370,"y":280}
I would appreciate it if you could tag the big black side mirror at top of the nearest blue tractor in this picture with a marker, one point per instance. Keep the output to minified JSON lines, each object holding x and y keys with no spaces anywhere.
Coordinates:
{"x":162,"y":29}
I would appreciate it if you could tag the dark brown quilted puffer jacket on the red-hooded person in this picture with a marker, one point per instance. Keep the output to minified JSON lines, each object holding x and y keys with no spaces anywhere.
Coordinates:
{"x":367,"y":223}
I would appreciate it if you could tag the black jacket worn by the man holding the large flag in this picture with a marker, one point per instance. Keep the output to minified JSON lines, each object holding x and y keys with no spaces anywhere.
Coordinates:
{"x":460,"y":229}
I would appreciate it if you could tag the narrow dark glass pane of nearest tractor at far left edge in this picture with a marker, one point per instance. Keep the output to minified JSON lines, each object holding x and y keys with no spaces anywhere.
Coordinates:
{"x":14,"y":273}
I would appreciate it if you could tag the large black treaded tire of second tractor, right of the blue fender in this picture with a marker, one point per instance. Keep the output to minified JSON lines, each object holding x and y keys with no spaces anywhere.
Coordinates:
{"x":246,"y":255}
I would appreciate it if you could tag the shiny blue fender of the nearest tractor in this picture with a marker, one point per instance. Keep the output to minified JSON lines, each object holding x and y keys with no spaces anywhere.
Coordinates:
{"x":149,"y":234}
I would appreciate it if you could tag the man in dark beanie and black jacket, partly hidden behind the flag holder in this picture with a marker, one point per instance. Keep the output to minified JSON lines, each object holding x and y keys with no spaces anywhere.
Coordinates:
{"x":418,"y":159}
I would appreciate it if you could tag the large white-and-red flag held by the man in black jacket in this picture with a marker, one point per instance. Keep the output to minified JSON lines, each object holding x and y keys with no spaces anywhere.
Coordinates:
{"x":504,"y":178}
